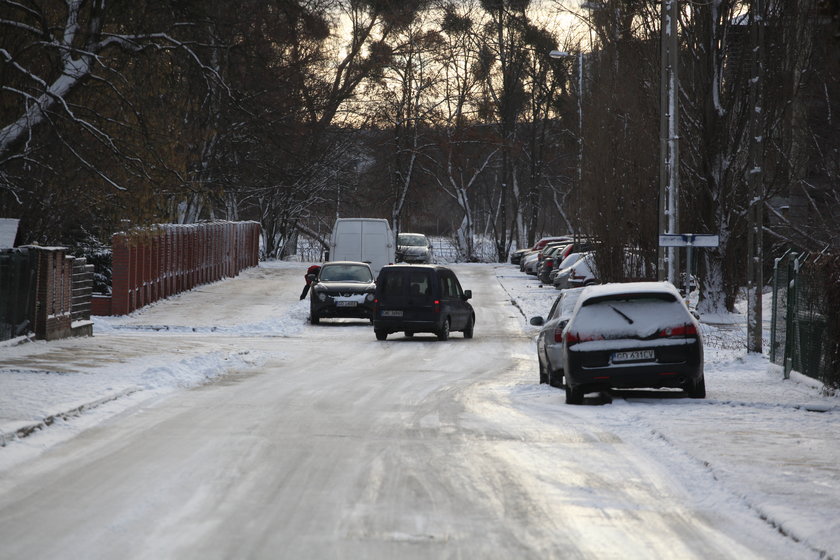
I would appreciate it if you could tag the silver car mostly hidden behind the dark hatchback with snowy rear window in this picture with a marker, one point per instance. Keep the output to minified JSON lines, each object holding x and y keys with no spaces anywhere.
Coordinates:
{"x":550,"y":339}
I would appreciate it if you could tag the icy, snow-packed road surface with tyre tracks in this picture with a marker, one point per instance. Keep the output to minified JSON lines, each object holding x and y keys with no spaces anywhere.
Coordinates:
{"x":338,"y":446}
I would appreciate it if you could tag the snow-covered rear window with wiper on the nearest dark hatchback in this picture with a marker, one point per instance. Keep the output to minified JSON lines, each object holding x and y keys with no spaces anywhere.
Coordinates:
{"x":638,"y":314}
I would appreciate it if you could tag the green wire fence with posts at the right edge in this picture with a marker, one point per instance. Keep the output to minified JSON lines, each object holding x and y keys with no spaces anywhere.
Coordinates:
{"x":805,"y":329}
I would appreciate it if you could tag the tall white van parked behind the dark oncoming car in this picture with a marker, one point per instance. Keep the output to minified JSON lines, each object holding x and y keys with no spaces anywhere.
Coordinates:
{"x":367,"y":240}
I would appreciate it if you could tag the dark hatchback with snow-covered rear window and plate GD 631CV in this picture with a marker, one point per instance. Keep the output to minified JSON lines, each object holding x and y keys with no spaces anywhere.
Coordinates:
{"x":636,"y":334}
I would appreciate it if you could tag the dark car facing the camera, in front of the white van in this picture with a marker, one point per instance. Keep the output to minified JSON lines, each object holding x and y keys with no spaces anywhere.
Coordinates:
{"x":342,"y":289}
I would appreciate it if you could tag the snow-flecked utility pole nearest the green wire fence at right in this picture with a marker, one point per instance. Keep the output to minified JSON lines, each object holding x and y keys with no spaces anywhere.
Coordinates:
{"x":755,"y":180}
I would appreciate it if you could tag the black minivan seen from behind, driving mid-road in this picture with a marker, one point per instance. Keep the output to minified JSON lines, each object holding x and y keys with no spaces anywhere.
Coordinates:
{"x":421,"y":298}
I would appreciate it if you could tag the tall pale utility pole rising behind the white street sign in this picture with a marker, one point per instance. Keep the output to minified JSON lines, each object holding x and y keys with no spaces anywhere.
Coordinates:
{"x":669,"y":160}
